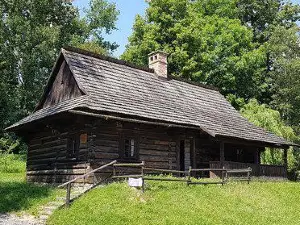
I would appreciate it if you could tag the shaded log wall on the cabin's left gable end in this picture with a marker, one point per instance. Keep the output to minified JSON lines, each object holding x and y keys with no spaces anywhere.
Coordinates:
{"x":47,"y":160}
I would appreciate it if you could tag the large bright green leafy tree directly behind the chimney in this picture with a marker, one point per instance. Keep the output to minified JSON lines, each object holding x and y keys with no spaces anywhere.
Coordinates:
{"x":206,"y":41}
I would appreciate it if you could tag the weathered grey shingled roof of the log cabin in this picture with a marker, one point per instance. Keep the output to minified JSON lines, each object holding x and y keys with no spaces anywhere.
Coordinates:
{"x":115,"y":87}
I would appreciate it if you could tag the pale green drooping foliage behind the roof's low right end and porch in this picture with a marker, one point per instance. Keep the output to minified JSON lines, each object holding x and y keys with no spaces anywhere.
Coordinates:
{"x":269,"y":119}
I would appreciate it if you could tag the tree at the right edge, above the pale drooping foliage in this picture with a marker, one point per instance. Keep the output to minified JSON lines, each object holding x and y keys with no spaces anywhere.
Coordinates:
{"x":284,"y":46}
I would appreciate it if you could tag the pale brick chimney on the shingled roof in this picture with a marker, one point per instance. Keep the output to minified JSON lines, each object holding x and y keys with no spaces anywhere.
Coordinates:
{"x":159,"y":62}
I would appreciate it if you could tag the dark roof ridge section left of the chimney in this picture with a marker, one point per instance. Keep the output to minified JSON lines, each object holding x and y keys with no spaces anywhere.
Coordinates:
{"x":107,"y":58}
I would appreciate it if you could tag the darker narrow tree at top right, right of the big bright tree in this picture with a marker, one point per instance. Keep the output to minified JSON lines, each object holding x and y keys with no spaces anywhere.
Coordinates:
{"x":262,"y":17}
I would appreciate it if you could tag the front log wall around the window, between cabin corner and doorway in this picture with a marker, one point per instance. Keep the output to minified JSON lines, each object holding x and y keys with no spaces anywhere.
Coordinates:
{"x":156,"y":145}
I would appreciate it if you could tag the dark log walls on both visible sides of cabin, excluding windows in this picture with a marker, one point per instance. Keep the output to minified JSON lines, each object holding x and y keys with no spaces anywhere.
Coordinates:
{"x":158,"y":146}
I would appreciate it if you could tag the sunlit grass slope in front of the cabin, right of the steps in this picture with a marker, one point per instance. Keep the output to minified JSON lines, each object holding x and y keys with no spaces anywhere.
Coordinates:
{"x":175,"y":203}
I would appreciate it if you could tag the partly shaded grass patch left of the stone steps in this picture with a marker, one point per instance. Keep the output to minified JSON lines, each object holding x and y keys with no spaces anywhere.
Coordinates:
{"x":18,"y":196}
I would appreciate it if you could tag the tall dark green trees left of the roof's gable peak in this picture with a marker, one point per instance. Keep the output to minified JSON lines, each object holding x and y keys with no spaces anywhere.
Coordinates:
{"x":32,"y":33}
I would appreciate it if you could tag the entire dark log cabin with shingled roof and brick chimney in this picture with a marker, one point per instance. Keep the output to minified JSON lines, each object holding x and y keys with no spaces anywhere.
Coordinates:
{"x":96,"y":109}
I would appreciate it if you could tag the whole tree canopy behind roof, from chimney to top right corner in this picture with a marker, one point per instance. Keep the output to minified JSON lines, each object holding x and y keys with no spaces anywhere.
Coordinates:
{"x":221,"y":43}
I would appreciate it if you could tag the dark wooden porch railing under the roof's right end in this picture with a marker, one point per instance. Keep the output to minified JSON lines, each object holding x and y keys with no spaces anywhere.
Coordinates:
{"x":257,"y":169}
